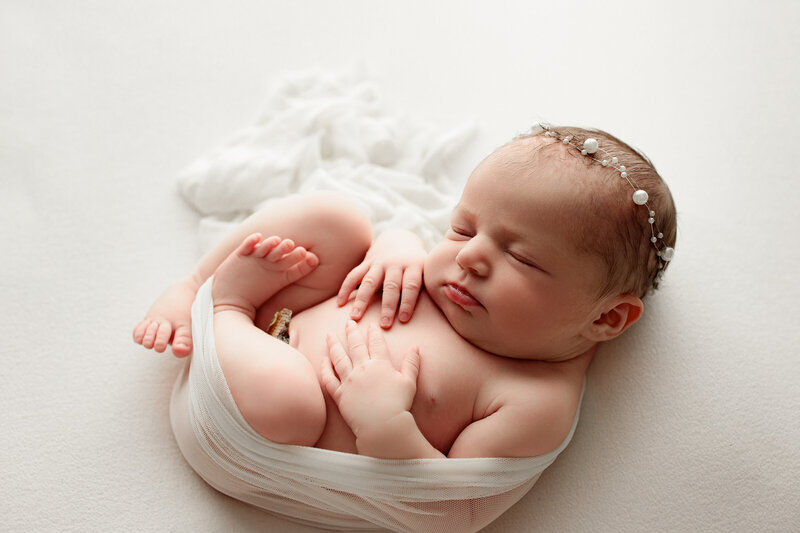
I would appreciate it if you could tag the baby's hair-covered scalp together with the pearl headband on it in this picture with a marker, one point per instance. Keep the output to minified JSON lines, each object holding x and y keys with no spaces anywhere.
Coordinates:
{"x":632,"y":232}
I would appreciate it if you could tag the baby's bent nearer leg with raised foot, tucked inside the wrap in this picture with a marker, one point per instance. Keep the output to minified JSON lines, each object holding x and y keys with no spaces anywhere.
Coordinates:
{"x":273,"y":384}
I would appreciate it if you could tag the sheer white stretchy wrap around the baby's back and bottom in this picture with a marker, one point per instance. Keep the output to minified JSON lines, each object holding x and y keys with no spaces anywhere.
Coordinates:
{"x":327,"y":488}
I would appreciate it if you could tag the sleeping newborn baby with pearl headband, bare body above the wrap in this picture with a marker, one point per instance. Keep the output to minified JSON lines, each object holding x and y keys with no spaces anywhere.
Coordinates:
{"x":557,"y":237}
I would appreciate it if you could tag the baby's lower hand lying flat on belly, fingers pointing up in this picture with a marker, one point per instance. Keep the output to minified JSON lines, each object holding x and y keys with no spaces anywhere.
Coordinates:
{"x":366,"y":387}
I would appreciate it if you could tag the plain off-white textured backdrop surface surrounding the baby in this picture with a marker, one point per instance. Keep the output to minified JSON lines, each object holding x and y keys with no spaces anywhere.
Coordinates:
{"x":690,"y":421}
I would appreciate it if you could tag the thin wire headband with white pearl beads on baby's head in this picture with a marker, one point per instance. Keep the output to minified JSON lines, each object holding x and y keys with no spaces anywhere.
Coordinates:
{"x":589,"y":148}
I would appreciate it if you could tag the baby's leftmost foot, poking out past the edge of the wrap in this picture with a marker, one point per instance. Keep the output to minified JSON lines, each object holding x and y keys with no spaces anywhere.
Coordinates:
{"x":169,"y":321}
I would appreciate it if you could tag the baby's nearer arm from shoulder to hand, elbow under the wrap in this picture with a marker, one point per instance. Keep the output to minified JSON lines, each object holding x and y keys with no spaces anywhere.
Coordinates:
{"x":375,"y":401}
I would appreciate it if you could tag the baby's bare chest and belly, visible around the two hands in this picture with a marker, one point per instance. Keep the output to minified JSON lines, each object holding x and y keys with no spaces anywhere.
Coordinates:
{"x":448,"y":381}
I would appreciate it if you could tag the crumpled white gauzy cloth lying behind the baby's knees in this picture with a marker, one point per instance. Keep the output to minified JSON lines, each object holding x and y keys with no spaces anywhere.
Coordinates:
{"x":321,"y":130}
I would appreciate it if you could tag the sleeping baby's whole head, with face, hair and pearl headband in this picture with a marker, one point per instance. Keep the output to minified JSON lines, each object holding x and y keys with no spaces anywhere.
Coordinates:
{"x":550,"y":250}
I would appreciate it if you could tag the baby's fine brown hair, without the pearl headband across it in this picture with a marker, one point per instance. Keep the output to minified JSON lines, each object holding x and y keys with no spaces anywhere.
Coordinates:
{"x":619,"y":232}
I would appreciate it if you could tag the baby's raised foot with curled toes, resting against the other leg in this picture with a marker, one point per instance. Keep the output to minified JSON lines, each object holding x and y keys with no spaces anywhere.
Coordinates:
{"x":258,"y":269}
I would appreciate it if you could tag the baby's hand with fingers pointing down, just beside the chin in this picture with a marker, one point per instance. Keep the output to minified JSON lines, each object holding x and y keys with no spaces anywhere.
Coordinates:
{"x":395,"y":262}
